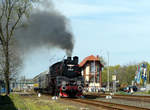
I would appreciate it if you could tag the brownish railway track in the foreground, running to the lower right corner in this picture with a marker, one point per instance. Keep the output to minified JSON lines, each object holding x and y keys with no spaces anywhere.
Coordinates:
{"x":107,"y":105}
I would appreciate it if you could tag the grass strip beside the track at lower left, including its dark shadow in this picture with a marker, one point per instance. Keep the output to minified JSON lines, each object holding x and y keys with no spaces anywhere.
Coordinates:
{"x":16,"y":102}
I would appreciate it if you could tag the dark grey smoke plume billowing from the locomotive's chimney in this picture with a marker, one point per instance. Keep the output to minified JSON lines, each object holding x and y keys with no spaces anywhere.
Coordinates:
{"x":45,"y":28}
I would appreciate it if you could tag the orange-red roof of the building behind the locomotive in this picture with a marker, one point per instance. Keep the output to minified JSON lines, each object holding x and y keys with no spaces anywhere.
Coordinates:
{"x":89,"y":58}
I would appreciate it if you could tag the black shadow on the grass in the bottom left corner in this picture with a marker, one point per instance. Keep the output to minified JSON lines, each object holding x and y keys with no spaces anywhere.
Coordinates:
{"x":6,"y":103}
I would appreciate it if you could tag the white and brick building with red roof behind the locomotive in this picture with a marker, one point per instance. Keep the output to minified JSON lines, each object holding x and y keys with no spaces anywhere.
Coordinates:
{"x":92,"y":72}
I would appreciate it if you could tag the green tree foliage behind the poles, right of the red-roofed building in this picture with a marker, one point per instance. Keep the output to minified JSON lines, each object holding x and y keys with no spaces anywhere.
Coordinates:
{"x":125,"y":74}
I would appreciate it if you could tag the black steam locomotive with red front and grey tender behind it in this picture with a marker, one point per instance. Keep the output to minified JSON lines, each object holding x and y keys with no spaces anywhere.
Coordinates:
{"x":63,"y":79}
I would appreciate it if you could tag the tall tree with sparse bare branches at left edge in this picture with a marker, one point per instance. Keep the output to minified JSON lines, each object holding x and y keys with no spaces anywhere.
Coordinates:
{"x":11,"y":13}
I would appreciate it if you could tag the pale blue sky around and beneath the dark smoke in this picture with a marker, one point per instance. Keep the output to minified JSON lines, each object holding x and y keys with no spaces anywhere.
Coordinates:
{"x":120,"y":27}
